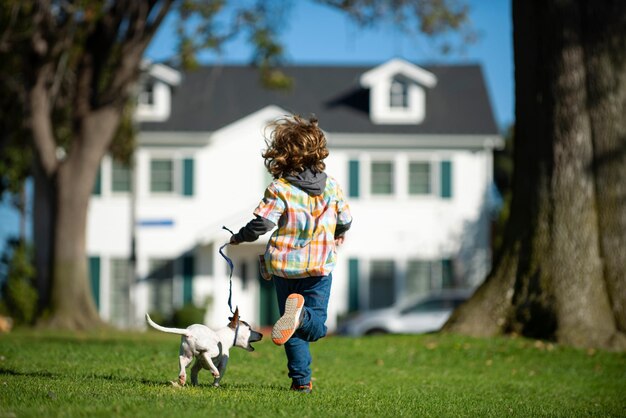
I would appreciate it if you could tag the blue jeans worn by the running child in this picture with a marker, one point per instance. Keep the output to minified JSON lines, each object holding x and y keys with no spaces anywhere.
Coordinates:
{"x":316,"y":292}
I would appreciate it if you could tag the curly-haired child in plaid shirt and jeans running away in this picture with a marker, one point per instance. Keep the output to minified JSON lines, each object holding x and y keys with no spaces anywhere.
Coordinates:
{"x":312,"y":217}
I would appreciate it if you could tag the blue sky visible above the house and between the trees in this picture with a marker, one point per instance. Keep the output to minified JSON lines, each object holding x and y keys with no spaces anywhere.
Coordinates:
{"x":316,"y":34}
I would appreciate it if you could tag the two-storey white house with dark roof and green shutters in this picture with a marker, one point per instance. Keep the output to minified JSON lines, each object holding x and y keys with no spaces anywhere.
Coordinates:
{"x":411,"y":146}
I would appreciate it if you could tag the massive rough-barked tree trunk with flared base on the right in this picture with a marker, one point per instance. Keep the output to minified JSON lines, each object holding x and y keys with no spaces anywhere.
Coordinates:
{"x":561,"y":270}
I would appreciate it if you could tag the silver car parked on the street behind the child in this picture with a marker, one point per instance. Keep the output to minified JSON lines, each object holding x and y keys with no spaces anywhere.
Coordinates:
{"x":414,"y":316}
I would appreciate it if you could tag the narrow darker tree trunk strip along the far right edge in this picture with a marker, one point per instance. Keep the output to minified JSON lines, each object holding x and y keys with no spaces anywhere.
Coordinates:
{"x":606,"y":59}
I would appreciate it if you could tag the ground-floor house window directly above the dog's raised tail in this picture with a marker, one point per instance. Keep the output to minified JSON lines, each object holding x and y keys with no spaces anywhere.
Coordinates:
{"x":161,"y":279}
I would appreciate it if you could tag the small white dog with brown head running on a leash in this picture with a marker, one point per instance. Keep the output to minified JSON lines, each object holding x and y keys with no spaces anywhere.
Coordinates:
{"x":209,"y":348}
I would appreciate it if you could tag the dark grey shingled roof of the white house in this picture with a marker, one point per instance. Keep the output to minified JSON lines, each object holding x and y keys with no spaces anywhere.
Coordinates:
{"x":213,"y":97}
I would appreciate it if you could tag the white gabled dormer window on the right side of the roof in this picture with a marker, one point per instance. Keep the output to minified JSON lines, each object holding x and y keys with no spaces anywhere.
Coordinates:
{"x":398,"y":92}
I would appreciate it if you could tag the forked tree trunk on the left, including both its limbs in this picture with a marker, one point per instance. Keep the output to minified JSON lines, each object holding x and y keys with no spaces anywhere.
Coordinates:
{"x":62,"y":191}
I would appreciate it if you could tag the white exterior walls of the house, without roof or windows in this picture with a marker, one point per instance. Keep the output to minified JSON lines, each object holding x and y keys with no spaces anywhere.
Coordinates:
{"x":229,"y":180}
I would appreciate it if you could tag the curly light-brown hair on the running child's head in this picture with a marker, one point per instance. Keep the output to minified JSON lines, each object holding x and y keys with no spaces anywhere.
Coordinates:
{"x":295,"y":144}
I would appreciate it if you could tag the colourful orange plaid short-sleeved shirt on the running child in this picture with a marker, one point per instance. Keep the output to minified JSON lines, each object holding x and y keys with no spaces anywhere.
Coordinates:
{"x":304,"y":243}
